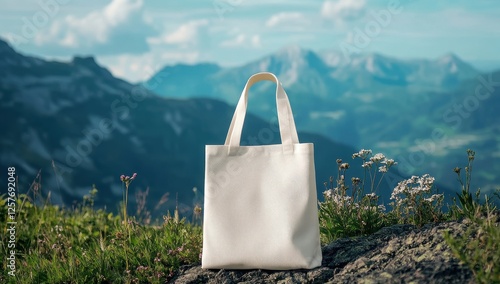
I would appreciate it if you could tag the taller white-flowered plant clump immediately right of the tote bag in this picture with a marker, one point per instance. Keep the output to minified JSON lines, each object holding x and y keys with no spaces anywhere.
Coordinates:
{"x":349,"y":211}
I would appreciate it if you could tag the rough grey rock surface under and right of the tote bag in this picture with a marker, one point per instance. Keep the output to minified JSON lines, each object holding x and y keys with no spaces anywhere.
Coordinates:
{"x":396,"y":254}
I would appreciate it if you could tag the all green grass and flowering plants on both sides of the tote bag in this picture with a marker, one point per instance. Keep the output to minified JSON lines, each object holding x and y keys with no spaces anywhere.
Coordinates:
{"x":87,"y":245}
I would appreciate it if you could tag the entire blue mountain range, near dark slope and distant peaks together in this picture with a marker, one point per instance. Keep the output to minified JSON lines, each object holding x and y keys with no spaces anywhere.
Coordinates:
{"x":70,"y":125}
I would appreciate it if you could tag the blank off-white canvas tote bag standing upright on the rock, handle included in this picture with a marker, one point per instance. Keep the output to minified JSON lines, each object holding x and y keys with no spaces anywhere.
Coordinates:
{"x":260,"y":201}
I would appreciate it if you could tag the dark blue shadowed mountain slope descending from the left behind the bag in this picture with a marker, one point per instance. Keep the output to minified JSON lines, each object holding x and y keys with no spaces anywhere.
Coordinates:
{"x":67,"y":126}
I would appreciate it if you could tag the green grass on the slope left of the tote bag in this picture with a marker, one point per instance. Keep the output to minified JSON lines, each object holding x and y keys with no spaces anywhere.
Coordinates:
{"x":83,"y":245}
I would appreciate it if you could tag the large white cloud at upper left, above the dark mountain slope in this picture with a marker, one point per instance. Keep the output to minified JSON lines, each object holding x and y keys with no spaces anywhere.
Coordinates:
{"x":118,"y":27}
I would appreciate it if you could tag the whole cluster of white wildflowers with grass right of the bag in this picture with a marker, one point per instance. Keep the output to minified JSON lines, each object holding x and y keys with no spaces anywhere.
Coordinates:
{"x":352,"y":210}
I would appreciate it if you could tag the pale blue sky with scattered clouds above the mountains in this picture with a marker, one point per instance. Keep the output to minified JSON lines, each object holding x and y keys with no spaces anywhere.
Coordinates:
{"x":135,"y":38}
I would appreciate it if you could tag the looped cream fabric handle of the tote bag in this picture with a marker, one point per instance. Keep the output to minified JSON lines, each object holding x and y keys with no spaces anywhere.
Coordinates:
{"x":288,"y":131}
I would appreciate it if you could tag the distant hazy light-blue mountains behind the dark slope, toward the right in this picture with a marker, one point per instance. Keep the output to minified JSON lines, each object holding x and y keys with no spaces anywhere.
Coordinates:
{"x":424,"y":113}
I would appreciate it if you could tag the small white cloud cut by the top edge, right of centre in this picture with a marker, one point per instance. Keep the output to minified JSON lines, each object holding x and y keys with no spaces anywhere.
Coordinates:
{"x":341,"y":10}
